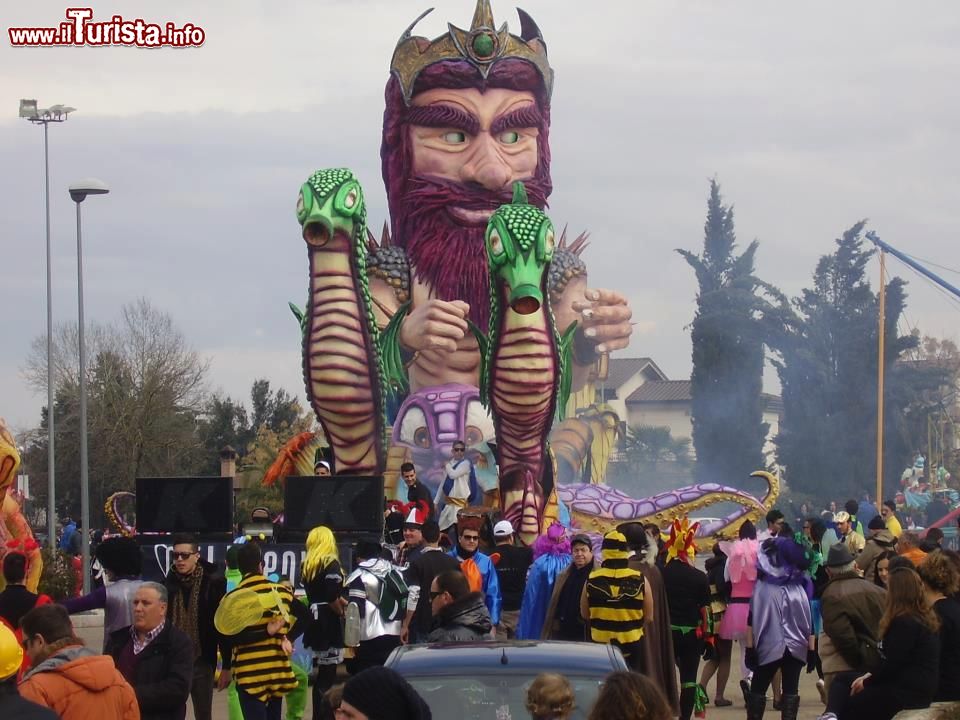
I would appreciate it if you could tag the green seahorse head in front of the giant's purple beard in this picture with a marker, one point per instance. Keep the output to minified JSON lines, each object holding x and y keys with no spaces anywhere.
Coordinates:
{"x":520,"y":242}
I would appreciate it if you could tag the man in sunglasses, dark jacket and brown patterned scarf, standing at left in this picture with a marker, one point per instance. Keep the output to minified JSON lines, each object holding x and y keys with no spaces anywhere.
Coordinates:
{"x":195,"y":589}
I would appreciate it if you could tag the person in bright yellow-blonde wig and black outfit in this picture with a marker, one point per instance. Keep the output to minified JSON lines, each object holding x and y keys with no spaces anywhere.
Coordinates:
{"x":322,"y":578}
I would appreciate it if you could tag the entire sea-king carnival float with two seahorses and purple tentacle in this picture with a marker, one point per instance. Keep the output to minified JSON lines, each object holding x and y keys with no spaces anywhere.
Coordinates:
{"x":470,"y":319}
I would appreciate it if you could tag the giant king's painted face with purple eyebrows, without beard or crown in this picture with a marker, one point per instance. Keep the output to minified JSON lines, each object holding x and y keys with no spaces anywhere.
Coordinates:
{"x":466,"y":136}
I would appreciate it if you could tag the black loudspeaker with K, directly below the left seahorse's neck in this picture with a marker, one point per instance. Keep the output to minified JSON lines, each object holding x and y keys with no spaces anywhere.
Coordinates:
{"x":344,"y":503}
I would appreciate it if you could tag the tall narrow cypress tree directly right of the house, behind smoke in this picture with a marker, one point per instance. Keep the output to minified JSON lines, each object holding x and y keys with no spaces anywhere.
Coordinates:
{"x":735,"y":315}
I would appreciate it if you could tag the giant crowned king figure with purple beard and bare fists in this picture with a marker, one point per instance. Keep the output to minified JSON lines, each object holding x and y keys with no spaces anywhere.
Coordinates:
{"x":467,"y":115}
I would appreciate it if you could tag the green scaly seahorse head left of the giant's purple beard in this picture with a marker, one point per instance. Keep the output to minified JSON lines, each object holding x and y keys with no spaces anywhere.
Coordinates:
{"x":330,"y":201}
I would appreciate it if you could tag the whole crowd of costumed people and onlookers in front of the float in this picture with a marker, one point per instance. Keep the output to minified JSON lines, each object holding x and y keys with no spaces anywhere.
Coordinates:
{"x":873,"y":610}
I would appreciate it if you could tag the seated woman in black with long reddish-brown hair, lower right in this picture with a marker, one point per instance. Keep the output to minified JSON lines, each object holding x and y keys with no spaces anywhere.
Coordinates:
{"x":909,"y":672}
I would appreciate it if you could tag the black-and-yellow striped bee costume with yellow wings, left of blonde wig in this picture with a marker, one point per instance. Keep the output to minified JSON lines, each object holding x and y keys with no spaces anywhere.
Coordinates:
{"x":260,"y":666}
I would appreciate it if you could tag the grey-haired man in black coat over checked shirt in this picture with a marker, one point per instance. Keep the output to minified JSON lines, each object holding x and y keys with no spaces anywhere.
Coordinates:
{"x":154,"y":656}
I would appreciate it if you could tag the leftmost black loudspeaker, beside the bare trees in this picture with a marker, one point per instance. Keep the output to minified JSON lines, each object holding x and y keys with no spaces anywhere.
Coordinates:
{"x":201,"y":505}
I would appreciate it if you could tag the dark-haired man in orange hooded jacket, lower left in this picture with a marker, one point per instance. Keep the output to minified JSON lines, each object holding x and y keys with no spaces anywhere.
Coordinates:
{"x":74,"y":681}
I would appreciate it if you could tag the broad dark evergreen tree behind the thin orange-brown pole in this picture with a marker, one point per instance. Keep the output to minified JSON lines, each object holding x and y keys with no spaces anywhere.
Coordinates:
{"x":828,"y":375}
